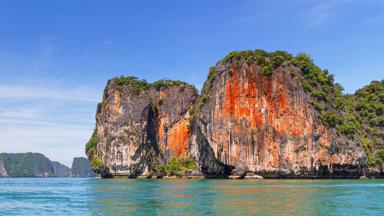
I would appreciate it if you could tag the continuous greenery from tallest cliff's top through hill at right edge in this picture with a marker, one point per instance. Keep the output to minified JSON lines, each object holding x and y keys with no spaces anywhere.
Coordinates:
{"x":359,"y":117}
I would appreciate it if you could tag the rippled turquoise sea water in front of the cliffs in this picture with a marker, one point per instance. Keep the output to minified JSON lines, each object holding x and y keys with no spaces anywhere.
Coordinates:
{"x":25,"y":196}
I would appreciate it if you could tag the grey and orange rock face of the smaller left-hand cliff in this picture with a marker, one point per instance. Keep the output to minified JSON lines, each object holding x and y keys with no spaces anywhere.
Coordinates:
{"x":138,"y":130}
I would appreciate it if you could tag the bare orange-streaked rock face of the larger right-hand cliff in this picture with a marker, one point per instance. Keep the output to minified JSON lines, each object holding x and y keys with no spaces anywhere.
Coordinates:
{"x":264,"y":124}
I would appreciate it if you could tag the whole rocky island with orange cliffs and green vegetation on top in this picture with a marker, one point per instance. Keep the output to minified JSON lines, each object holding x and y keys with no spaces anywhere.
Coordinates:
{"x":259,"y":113}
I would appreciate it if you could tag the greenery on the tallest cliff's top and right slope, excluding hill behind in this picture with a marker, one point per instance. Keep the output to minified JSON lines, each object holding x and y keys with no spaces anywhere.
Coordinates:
{"x":327,"y":97}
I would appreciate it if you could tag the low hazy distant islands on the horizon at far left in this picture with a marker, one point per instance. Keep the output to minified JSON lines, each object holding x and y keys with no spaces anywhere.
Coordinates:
{"x":38,"y":165}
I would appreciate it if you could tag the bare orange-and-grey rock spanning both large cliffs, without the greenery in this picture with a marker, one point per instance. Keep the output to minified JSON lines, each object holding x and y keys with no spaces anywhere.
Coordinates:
{"x":244,"y":121}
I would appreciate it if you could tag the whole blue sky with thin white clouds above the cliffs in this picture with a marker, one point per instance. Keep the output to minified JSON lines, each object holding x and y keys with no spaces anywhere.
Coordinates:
{"x":56,"y":56}
